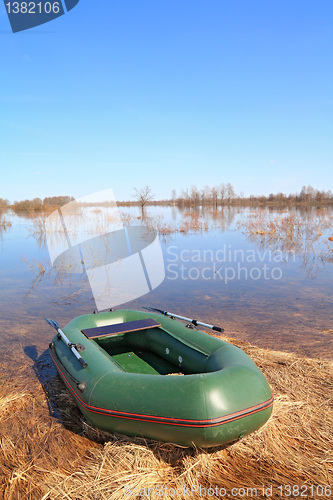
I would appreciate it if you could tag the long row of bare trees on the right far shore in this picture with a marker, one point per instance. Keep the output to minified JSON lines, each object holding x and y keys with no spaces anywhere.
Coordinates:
{"x":225,"y":194}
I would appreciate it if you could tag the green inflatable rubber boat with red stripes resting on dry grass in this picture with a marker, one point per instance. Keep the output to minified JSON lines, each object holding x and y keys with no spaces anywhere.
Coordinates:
{"x":144,"y":374}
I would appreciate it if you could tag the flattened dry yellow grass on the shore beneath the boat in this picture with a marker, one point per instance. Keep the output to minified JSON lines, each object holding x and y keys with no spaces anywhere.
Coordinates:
{"x":45,"y":458}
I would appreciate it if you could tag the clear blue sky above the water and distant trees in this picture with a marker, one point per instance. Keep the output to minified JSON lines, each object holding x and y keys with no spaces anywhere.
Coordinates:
{"x":170,"y":94}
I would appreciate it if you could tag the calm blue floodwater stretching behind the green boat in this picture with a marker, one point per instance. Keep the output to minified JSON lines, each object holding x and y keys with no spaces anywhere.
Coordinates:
{"x":265,"y":276}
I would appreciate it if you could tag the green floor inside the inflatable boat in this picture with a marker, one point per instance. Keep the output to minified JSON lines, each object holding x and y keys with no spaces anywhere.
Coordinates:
{"x":143,"y":362}
